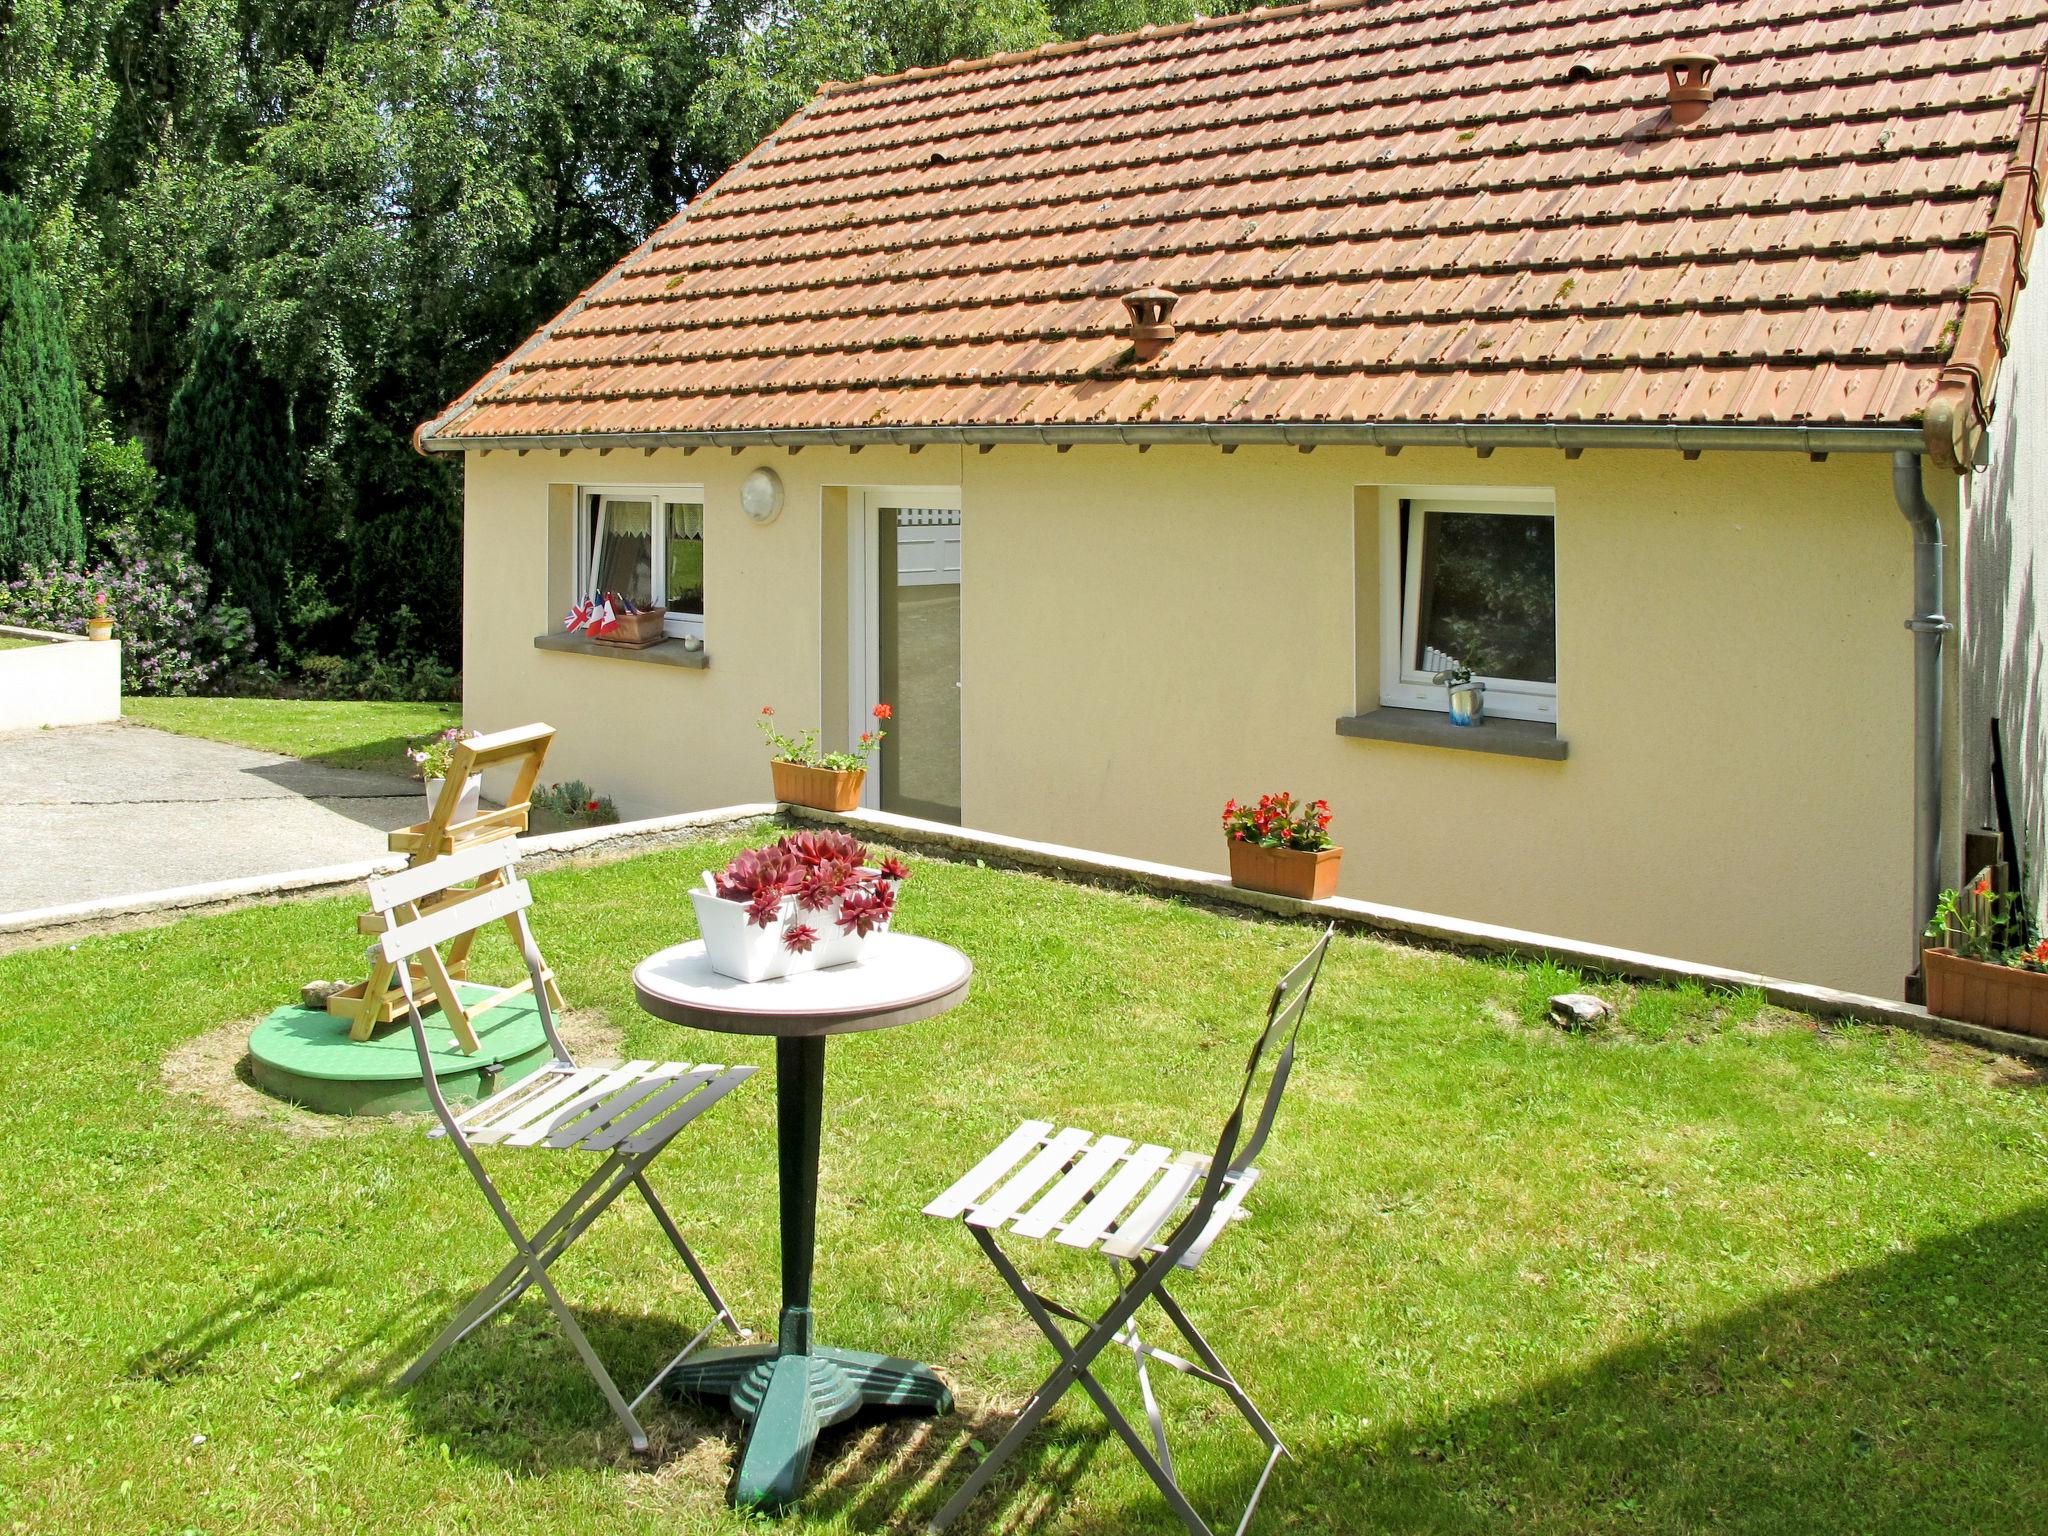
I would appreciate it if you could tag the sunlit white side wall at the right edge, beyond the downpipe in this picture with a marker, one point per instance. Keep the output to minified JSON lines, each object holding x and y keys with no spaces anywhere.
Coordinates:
{"x":2004,"y":583}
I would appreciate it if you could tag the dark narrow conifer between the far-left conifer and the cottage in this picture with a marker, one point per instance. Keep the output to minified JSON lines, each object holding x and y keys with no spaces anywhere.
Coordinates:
{"x":232,"y":466}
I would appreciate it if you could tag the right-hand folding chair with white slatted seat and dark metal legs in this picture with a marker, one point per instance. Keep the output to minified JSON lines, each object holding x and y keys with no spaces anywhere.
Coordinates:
{"x":1150,"y":1211}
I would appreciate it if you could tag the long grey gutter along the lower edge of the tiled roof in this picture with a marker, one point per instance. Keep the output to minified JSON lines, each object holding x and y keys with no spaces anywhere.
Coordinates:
{"x":1224,"y":435}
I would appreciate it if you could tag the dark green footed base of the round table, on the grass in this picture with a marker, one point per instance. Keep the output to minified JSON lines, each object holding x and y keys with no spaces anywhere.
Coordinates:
{"x":785,"y":1400}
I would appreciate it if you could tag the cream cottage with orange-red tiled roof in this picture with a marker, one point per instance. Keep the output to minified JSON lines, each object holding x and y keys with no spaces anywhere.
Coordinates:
{"x":1152,"y":419}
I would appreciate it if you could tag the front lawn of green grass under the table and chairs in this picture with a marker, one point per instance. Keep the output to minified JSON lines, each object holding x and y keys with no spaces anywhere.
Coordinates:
{"x":1713,"y":1269}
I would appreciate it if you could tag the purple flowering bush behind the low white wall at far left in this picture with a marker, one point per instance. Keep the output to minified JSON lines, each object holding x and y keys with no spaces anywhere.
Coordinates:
{"x":173,"y":640}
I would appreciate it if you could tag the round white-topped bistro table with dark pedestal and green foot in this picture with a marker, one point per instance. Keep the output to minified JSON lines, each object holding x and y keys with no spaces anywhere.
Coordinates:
{"x":792,"y":1390}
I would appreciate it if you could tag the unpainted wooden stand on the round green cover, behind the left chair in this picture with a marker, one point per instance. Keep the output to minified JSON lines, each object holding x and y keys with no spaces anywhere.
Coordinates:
{"x":378,"y":1000}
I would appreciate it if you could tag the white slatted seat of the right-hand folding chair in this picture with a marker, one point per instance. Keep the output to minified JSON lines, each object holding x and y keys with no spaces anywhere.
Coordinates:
{"x":1084,"y":1191}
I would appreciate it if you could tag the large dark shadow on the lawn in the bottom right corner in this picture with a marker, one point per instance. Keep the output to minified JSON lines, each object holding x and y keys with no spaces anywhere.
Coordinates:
{"x":1908,"y":1396}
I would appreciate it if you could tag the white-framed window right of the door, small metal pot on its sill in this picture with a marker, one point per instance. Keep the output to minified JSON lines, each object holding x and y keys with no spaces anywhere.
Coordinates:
{"x":1469,"y":583}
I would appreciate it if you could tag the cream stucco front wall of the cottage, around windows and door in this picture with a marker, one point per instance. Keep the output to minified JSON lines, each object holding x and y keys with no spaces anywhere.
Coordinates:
{"x":1152,"y":634}
